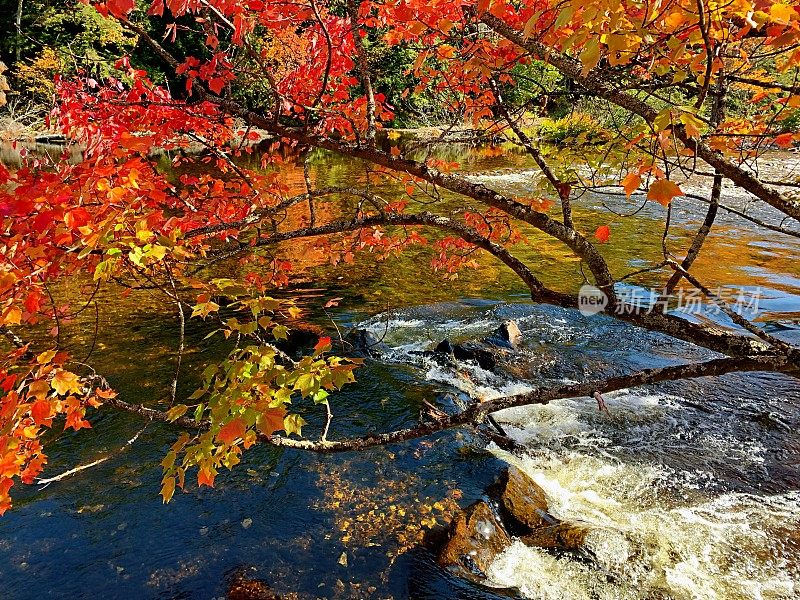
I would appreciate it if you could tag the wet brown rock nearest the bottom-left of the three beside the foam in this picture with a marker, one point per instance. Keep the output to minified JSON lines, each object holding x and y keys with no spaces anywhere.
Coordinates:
{"x":476,"y":537}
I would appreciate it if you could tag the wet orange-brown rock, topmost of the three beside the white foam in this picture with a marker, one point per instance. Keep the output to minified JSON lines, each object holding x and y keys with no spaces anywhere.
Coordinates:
{"x":522,"y":499}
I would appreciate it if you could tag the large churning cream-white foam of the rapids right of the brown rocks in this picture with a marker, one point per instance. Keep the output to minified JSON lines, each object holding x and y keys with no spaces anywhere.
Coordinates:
{"x":653,"y":533}
